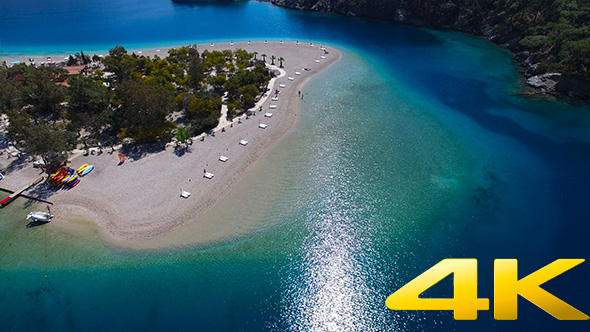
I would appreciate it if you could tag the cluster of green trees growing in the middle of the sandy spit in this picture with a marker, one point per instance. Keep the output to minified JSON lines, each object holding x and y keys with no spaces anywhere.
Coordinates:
{"x":125,"y":98}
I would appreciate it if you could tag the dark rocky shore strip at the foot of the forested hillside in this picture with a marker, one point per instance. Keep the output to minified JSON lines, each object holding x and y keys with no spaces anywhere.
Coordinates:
{"x":542,"y":82}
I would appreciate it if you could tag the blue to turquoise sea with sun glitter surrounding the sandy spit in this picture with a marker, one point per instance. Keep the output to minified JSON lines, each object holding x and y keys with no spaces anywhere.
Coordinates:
{"x":411,"y":149}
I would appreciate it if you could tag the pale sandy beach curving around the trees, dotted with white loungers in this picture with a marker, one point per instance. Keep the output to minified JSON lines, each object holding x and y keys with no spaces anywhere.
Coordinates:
{"x":140,"y":200}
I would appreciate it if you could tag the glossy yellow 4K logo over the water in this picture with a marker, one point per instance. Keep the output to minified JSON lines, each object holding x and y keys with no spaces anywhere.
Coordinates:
{"x":507,"y":287}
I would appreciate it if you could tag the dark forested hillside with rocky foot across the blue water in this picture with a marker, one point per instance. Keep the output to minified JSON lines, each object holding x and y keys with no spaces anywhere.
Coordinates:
{"x":548,"y":36}
